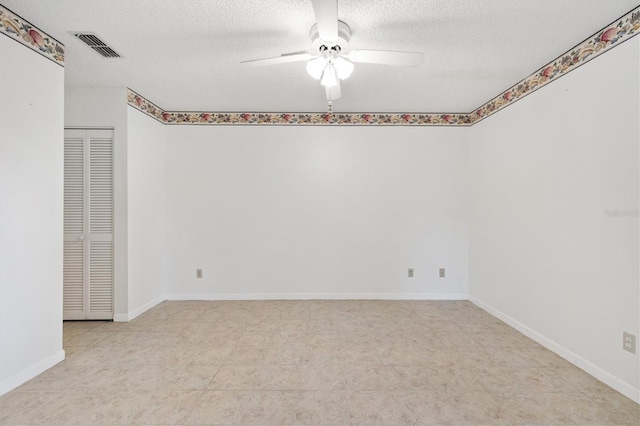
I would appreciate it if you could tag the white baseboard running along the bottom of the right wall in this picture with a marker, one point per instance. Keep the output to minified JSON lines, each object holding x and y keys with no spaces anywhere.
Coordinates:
{"x":604,"y":376}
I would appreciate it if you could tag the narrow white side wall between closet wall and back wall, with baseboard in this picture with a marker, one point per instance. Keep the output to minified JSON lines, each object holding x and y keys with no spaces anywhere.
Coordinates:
{"x":146,"y":205}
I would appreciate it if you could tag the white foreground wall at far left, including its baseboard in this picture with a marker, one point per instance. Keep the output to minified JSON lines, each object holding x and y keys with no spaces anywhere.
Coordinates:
{"x":31,"y":195}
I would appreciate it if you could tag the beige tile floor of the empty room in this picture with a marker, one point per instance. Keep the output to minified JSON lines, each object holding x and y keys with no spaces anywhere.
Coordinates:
{"x":308,"y":363}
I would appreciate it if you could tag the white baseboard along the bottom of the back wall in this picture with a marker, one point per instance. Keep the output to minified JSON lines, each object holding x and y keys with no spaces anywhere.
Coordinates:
{"x":316,"y":296}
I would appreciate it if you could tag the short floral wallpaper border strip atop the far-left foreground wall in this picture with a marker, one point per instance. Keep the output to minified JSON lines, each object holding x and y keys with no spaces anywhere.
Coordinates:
{"x":34,"y":38}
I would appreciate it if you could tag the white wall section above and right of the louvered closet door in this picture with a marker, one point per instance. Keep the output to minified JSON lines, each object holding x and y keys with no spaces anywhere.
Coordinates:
{"x":87,"y":107}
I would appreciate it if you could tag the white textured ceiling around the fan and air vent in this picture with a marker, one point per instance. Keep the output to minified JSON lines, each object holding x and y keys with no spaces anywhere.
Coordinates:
{"x":186,"y":54}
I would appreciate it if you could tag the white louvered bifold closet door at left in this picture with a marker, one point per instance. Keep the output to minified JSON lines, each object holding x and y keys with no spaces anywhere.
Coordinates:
{"x":88,"y":224}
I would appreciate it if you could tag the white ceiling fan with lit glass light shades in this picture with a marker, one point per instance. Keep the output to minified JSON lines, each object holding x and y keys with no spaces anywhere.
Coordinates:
{"x":328,"y":60}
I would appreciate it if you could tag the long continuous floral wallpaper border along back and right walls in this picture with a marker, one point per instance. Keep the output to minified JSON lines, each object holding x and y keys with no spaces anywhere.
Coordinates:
{"x":610,"y":36}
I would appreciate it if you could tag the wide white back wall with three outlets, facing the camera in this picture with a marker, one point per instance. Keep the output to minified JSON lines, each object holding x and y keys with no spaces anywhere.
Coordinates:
{"x":272,"y":212}
